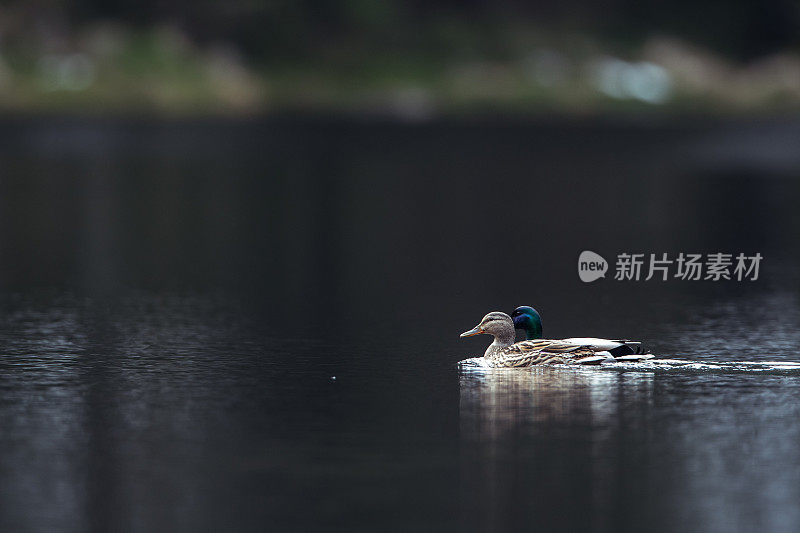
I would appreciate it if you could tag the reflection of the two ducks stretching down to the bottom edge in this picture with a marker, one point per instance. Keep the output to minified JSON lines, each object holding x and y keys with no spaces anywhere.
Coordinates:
{"x":549,"y":437}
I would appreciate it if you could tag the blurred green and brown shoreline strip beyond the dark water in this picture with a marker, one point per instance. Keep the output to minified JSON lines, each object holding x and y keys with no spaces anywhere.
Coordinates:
{"x":108,"y":70}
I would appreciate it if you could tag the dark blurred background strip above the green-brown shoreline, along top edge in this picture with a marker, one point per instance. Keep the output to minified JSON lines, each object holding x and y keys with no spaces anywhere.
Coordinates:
{"x":280,"y":30}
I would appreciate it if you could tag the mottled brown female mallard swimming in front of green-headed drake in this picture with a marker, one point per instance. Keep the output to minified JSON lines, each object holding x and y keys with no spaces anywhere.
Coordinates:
{"x":504,"y":353}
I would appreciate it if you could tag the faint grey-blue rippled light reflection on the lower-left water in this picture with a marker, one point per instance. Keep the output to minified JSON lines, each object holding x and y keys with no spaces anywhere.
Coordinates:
{"x":100,"y":404}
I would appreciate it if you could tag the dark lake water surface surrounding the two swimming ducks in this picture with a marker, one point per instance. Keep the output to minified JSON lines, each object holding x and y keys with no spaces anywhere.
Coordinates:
{"x":177,"y":298}
